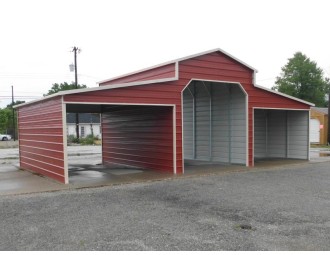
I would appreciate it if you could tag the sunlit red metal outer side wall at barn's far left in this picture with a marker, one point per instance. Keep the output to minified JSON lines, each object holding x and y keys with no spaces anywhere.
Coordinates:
{"x":41,"y":147}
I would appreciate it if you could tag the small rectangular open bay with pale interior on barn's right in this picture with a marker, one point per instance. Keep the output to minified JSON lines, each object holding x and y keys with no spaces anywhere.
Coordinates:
{"x":281,"y":134}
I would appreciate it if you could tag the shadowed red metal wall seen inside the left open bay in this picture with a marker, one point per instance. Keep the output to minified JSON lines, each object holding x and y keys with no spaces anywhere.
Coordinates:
{"x":140,"y":136}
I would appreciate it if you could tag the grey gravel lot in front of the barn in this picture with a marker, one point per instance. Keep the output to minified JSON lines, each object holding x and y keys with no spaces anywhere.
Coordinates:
{"x":285,"y":208}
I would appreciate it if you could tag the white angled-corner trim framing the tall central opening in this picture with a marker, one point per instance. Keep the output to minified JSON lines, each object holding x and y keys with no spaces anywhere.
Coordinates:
{"x":246,"y":113}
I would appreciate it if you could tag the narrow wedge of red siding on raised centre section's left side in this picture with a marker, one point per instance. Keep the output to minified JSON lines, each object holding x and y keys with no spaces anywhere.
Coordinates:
{"x":162,"y":72}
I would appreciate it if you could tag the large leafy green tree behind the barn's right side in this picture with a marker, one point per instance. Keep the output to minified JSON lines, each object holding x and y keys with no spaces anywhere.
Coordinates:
{"x":302,"y":78}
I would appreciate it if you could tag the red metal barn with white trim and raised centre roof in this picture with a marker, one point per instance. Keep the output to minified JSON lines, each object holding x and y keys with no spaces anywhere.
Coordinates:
{"x":204,"y":107}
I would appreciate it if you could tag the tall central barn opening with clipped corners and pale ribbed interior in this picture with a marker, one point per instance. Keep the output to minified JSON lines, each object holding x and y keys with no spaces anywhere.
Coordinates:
{"x":214,"y":124}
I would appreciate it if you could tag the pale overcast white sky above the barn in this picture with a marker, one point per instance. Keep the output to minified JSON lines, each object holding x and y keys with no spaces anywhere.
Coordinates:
{"x":118,"y":37}
